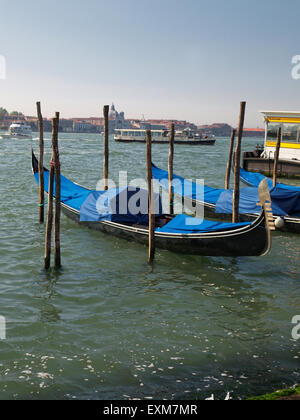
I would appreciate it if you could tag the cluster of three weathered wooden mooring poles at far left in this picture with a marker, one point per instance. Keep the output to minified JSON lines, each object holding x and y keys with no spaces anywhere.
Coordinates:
{"x":54,"y":181}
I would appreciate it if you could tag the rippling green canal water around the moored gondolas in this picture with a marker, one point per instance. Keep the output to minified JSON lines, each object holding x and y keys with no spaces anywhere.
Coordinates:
{"x":107,"y":326}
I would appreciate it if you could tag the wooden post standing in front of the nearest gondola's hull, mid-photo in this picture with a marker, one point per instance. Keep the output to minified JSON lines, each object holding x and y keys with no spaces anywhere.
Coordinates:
{"x":150,"y":198}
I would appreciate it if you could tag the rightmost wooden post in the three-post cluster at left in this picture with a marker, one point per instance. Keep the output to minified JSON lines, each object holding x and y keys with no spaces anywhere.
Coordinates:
{"x":56,"y":164}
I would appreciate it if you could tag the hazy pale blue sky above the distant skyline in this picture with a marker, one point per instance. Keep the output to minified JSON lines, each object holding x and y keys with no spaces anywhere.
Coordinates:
{"x":193,"y":59}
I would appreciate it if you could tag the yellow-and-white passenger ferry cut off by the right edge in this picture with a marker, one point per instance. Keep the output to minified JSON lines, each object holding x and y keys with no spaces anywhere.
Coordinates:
{"x":262,"y":159}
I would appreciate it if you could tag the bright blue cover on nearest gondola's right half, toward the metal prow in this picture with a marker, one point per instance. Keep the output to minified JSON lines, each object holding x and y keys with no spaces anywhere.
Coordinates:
{"x":184,"y":224}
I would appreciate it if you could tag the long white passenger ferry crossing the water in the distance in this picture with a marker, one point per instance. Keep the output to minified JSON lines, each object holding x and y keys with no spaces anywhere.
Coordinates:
{"x":162,"y":137}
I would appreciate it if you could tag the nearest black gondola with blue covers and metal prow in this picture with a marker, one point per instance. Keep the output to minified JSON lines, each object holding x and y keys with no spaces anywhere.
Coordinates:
{"x":178,"y":233}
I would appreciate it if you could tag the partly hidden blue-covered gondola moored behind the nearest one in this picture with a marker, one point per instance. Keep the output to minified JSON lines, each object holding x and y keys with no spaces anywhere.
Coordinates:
{"x":218,"y":202}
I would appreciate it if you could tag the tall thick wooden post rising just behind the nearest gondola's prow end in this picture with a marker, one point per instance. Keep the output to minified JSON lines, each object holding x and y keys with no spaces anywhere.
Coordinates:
{"x":237,"y":165}
